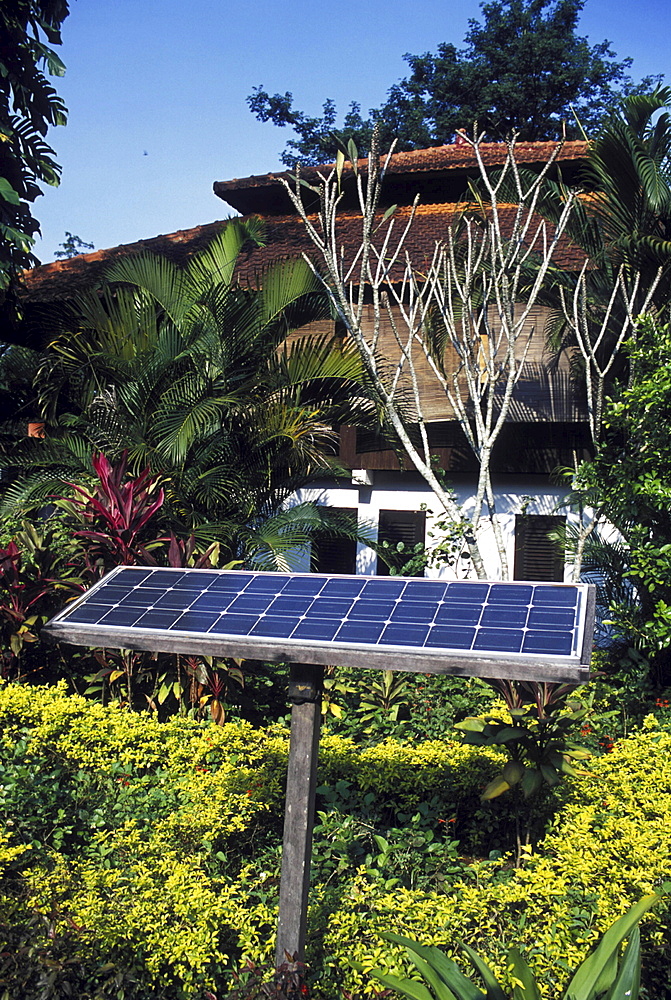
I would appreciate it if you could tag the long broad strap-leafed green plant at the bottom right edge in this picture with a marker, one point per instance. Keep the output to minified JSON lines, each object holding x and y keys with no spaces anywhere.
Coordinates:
{"x":604,"y":975}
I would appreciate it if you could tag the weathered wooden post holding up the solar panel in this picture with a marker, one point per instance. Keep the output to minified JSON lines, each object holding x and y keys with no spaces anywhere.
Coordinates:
{"x":305,"y":691}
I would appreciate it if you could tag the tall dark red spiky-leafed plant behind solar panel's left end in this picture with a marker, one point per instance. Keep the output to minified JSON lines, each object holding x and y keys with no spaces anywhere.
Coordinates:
{"x":118,"y":510}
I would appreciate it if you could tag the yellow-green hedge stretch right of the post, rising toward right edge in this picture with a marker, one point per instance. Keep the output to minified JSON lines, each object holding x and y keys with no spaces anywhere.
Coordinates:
{"x":609,"y":845}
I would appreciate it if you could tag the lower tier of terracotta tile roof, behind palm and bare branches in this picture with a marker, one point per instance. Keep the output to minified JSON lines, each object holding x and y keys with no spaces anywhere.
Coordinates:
{"x":285,"y":238}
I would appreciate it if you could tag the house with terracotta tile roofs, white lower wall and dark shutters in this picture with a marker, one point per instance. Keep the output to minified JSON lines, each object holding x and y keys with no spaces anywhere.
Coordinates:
{"x":546,"y":428}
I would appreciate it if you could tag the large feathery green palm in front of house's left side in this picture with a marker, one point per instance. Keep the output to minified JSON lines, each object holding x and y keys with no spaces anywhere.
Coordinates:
{"x":198,"y":378}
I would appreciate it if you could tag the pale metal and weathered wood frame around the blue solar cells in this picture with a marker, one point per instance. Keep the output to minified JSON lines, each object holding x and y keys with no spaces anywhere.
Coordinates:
{"x":521,"y":666}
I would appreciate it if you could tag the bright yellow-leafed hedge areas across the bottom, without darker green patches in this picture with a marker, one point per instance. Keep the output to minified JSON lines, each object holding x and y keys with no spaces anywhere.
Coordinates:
{"x":154,"y":896}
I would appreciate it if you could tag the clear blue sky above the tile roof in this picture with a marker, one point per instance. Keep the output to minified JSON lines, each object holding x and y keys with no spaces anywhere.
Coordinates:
{"x":156,"y":93}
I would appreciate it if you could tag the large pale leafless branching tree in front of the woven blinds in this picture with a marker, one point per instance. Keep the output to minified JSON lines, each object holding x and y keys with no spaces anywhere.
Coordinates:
{"x":463,"y":322}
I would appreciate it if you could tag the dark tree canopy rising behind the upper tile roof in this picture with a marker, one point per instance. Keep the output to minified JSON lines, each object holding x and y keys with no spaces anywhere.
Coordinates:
{"x":522,"y":68}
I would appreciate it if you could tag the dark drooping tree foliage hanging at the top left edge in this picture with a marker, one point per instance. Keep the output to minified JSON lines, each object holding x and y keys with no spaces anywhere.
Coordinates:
{"x":28,"y":106}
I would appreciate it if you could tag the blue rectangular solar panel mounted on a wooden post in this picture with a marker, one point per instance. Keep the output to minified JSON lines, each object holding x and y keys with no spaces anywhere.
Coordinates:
{"x":469,"y":627}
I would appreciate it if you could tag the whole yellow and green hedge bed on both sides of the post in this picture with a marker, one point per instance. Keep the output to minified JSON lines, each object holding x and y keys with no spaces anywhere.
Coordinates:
{"x":141,"y":859}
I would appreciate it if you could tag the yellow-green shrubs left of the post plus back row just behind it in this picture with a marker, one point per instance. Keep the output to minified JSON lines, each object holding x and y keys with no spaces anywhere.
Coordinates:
{"x":153,"y":848}
